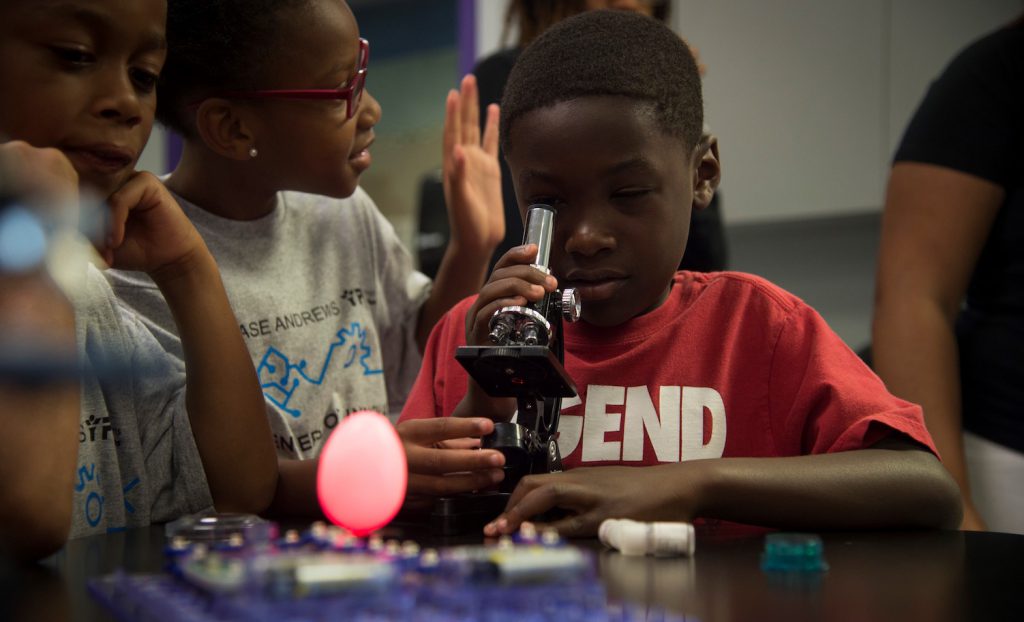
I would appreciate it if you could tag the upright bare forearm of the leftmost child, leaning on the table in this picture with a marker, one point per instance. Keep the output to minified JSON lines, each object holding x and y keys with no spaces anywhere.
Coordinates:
{"x":225,"y":401}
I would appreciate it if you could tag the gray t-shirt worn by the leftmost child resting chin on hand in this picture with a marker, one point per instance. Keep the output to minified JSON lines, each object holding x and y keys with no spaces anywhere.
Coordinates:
{"x":138,"y":461}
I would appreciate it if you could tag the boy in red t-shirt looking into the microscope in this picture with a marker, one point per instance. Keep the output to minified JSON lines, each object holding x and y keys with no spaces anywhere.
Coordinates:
{"x":713,"y":396}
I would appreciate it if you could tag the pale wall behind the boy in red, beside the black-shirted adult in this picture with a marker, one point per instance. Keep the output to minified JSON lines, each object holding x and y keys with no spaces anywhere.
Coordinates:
{"x":809,"y":98}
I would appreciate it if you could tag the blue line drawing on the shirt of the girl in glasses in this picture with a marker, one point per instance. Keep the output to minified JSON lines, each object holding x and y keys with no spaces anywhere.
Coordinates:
{"x":279,"y":384}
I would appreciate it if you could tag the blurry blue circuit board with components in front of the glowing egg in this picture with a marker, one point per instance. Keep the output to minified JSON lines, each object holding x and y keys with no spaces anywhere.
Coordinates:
{"x":326,"y":574}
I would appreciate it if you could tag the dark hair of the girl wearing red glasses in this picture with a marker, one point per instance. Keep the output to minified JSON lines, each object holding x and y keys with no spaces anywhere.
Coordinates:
{"x":216,"y":46}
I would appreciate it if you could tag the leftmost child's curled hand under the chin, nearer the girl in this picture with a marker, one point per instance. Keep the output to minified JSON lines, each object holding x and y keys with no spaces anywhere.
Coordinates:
{"x":149,"y":232}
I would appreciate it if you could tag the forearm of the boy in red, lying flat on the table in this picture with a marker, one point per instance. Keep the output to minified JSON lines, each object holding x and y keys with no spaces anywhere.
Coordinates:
{"x":864,"y":489}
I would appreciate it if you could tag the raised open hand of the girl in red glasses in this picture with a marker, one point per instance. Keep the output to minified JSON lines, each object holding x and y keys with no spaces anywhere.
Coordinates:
{"x":473,"y":177}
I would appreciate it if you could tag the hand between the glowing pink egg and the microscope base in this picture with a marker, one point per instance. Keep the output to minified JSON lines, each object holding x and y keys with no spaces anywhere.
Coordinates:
{"x":445,"y":459}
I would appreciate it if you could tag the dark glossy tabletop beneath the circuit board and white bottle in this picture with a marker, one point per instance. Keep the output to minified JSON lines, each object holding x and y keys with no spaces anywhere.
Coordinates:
{"x":906,"y":576}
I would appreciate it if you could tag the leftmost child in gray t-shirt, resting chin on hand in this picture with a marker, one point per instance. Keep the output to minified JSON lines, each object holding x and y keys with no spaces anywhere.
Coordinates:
{"x":151,"y":437}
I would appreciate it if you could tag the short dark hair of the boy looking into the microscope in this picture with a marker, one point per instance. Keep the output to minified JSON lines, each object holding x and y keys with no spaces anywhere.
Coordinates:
{"x":609,"y":53}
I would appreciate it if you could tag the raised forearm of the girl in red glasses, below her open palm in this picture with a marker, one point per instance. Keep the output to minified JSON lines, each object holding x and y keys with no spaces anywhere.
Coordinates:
{"x":461,"y":274}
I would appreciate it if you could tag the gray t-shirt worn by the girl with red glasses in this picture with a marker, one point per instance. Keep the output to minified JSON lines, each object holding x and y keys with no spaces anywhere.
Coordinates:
{"x":327,"y":301}
